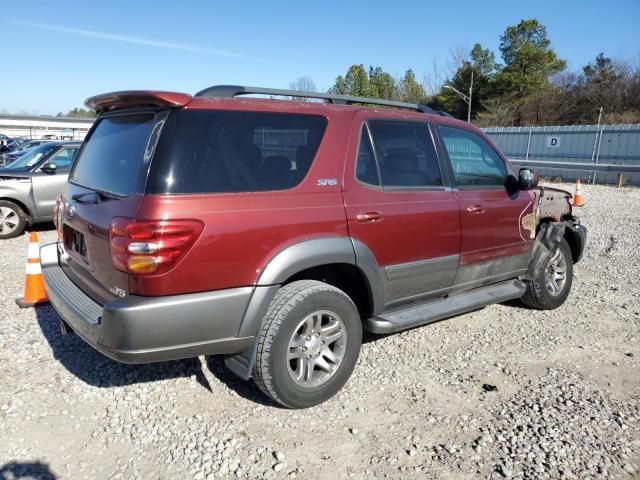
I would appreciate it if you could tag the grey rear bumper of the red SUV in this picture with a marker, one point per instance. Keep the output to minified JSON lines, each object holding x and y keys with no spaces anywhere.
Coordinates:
{"x":144,"y":329}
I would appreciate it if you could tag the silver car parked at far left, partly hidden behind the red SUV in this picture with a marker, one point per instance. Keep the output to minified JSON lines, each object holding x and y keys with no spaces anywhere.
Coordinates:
{"x":30,"y":184}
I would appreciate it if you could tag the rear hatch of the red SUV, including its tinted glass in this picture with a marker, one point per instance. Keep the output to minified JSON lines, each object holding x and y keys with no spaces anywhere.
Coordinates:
{"x":106,"y":181}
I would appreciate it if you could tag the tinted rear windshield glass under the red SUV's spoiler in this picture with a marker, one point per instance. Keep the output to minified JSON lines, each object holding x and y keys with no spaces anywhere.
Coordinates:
{"x":112,"y":156}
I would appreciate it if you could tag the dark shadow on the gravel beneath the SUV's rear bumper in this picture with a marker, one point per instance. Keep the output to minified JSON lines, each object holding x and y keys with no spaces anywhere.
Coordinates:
{"x":97,"y":370}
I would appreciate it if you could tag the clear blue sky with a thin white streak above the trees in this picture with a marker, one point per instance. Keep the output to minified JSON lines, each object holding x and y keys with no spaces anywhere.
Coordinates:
{"x":58,"y":53}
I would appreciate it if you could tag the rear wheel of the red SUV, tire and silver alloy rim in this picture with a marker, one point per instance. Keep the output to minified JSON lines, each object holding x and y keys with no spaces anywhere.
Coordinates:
{"x":308,"y":344}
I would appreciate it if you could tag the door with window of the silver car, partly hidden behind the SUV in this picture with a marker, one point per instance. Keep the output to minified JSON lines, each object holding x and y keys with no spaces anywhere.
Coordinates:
{"x":47,"y":186}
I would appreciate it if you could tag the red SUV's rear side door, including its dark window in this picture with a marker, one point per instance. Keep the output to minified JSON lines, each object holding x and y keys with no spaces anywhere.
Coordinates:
{"x":400,"y":210}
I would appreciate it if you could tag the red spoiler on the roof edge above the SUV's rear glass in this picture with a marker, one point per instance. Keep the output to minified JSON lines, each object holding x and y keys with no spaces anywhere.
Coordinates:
{"x":109,"y":102}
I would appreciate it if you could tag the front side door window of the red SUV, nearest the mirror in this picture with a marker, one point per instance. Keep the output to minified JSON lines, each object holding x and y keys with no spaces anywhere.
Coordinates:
{"x":473,"y":160}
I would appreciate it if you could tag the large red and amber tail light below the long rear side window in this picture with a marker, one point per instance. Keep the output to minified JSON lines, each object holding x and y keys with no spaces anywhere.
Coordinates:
{"x":143,"y":247}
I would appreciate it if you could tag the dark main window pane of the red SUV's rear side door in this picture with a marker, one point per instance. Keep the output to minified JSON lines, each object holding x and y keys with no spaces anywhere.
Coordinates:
{"x":406,"y":154}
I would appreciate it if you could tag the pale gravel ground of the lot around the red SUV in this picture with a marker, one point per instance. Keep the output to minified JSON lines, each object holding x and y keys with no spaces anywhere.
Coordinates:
{"x":503,"y":392}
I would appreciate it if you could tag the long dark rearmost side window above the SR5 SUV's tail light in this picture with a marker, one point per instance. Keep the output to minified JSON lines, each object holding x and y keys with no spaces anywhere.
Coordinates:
{"x":204,"y":151}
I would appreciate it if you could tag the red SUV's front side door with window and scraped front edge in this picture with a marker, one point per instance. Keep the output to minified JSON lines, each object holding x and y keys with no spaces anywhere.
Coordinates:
{"x":494,"y":244}
